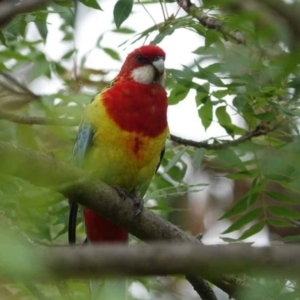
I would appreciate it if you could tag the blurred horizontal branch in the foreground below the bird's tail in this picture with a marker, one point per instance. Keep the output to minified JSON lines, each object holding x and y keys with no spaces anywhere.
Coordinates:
{"x":171,"y":259}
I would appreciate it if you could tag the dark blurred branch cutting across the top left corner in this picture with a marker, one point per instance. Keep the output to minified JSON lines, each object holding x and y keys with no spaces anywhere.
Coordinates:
{"x":9,"y":9}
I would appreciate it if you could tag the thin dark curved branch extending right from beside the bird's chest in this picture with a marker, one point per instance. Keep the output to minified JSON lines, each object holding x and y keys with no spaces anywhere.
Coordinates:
{"x":261,"y":129}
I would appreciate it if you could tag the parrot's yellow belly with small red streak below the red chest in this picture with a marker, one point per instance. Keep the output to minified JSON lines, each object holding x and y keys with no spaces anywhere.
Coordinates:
{"x":122,"y":158}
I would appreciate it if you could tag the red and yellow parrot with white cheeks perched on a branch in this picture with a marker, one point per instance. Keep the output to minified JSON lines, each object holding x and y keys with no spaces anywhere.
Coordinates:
{"x":122,"y":136}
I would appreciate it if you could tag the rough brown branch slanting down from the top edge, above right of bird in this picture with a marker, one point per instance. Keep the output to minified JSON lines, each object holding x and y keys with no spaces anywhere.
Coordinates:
{"x":210,"y":22}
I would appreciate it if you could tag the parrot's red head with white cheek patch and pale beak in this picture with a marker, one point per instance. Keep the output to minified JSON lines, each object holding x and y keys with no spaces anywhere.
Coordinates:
{"x":144,"y":65}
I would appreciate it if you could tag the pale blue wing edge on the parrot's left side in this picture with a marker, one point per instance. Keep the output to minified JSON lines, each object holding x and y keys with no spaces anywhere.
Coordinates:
{"x":82,"y":144}
